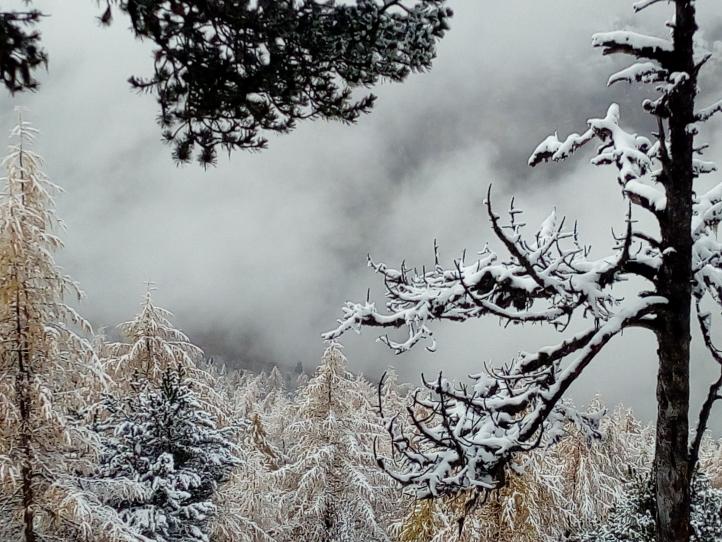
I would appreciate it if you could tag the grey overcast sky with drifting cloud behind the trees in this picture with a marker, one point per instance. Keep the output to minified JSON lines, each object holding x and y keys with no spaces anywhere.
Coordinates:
{"x":257,"y":255}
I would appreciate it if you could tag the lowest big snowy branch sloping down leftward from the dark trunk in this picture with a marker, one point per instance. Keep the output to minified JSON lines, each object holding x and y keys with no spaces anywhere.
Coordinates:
{"x":466,"y":437}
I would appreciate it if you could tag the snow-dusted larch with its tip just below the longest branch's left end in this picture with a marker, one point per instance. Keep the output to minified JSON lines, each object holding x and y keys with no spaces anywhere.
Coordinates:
{"x":334,"y":486}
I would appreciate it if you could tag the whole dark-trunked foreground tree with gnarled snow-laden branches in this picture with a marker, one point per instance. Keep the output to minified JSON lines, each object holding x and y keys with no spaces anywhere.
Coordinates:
{"x":549,"y":277}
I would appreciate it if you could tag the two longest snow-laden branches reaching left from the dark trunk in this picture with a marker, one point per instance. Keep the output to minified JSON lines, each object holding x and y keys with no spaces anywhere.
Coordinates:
{"x":466,"y":437}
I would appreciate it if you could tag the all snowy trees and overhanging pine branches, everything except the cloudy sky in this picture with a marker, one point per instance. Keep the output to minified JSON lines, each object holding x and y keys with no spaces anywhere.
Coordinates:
{"x":141,"y":438}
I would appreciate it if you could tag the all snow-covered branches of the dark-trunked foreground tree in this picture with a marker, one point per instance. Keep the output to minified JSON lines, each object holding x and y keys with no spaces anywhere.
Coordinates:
{"x":464,"y":436}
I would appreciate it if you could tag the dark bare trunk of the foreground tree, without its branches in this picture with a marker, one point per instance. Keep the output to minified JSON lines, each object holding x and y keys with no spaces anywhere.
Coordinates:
{"x":674,"y":282}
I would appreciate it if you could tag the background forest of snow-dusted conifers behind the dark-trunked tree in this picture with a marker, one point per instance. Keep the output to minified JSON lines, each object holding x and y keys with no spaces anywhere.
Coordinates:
{"x":144,"y":439}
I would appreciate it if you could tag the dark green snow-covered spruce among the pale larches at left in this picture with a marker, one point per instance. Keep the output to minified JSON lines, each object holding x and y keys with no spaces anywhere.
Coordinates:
{"x":169,"y":455}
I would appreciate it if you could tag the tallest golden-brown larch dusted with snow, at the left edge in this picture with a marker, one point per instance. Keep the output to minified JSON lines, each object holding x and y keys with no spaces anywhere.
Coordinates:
{"x":49,"y":372}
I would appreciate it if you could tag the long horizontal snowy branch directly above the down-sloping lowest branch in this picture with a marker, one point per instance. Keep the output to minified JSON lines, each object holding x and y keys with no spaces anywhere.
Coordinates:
{"x":545,"y":278}
